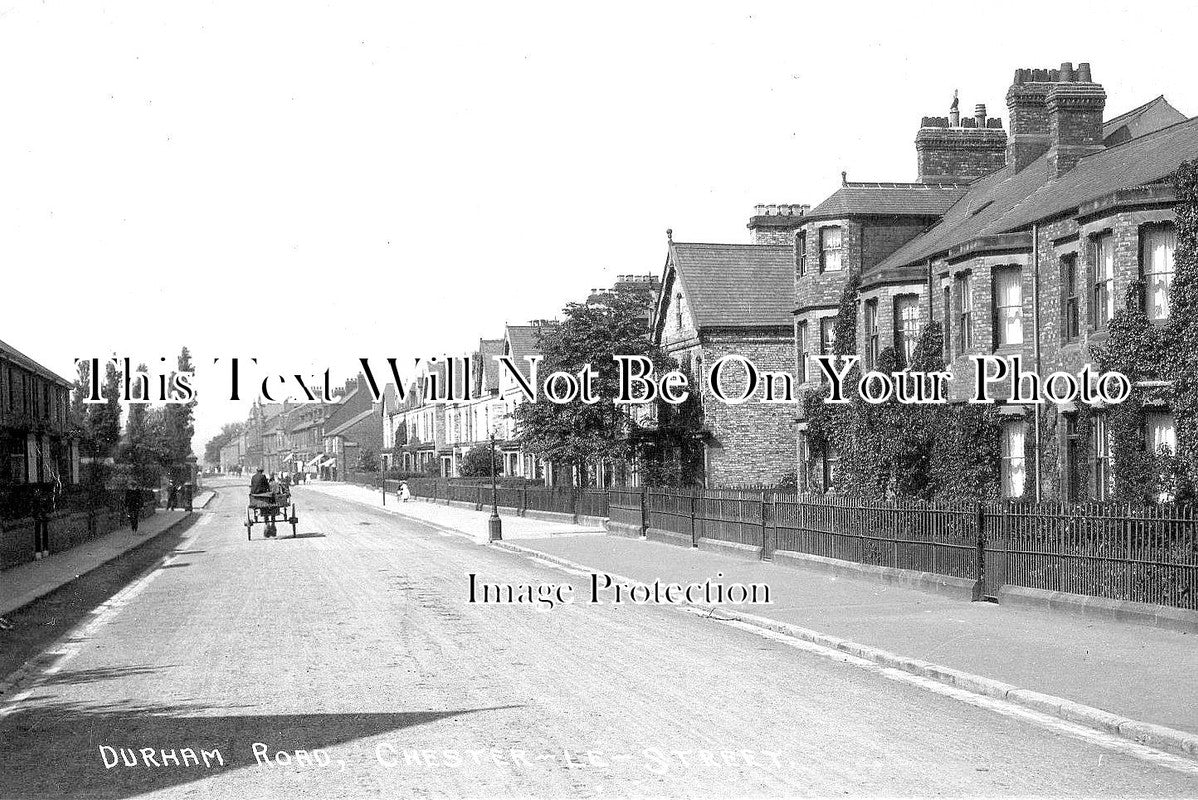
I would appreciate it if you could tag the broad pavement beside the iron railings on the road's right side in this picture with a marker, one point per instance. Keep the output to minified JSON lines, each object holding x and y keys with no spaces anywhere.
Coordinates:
{"x":1136,"y":675}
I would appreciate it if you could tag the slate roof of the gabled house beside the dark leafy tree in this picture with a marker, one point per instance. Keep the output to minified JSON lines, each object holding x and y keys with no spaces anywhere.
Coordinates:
{"x":737,"y":286}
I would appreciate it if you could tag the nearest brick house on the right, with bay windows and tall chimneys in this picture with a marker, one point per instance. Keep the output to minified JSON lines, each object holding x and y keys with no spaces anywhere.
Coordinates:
{"x":1031,"y":259}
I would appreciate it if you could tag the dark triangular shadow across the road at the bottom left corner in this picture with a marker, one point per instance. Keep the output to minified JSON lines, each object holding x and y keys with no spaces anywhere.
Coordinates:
{"x":58,"y":750}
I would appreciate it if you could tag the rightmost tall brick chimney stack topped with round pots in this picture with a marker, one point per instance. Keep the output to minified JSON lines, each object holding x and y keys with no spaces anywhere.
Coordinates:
{"x":1075,"y":119}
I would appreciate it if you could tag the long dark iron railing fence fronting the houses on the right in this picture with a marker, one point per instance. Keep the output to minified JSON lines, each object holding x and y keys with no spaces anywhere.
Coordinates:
{"x":1145,"y":554}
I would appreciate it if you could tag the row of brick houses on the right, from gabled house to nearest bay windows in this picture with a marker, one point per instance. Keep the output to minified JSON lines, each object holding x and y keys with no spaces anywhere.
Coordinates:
{"x":1020,"y":240}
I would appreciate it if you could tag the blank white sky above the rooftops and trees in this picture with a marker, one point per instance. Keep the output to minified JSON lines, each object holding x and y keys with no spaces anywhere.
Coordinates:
{"x":311,"y":184}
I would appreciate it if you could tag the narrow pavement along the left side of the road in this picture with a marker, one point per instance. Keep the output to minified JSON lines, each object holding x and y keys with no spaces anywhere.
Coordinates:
{"x":23,"y":584}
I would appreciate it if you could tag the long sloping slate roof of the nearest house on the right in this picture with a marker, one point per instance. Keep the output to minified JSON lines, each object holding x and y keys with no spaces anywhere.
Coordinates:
{"x":1009,"y":201}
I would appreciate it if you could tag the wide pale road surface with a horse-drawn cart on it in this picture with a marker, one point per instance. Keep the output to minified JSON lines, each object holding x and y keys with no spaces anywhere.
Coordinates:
{"x":355,"y":643}
